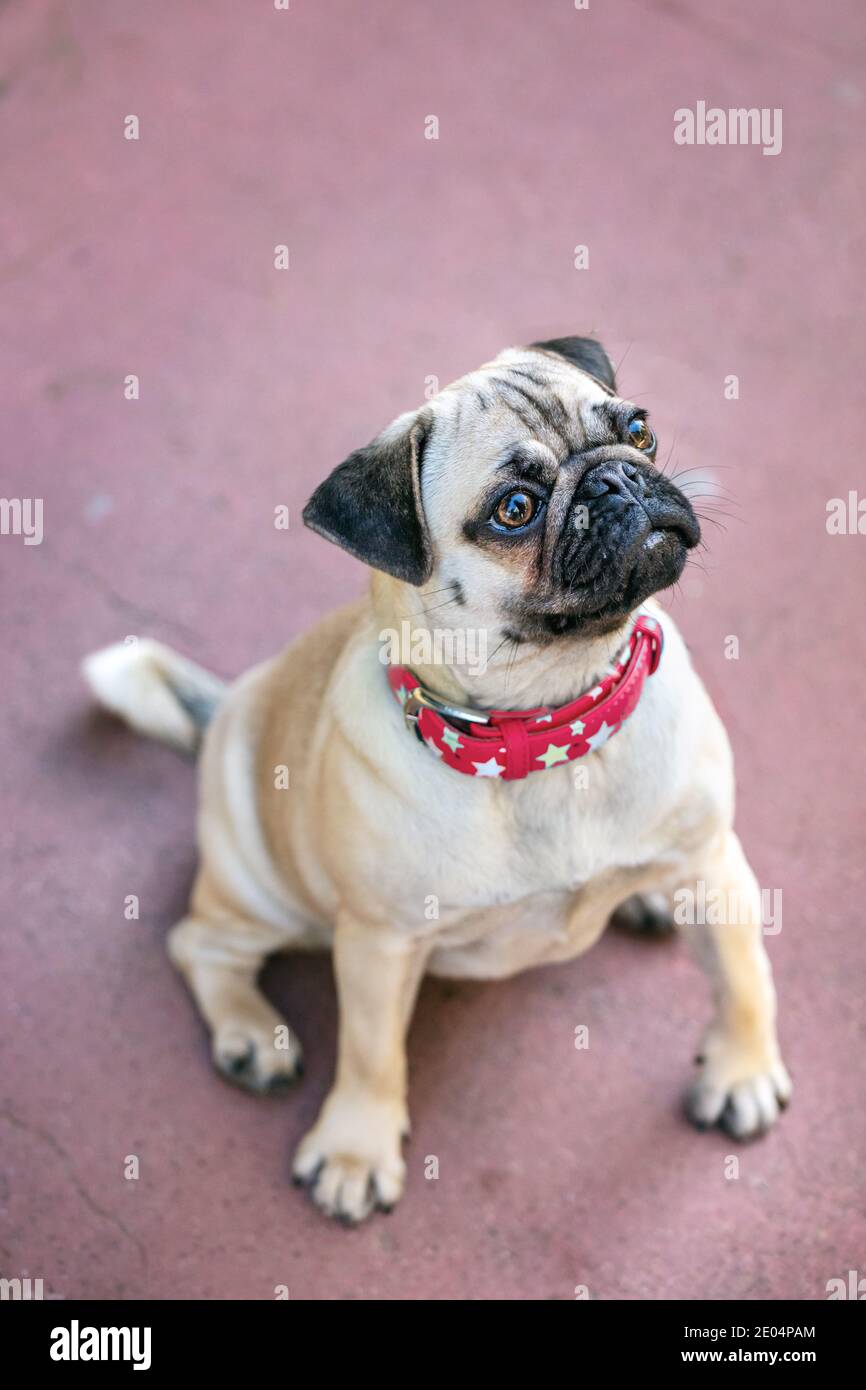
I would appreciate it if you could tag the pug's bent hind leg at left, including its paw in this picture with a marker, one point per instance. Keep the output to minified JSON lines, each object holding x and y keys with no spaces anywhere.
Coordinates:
{"x":220,"y":960}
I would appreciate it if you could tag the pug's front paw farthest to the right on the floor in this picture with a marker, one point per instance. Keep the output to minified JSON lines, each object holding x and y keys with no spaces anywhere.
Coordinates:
{"x":742,"y":1092}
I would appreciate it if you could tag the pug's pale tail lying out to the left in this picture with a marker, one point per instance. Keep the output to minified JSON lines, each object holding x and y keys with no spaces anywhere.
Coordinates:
{"x":155,"y":690}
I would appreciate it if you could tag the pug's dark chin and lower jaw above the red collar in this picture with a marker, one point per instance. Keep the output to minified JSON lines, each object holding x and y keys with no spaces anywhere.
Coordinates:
{"x":600,"y":608}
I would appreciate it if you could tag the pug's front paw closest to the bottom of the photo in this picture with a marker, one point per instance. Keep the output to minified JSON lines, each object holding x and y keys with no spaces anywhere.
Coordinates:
{"x":351,"y":1161}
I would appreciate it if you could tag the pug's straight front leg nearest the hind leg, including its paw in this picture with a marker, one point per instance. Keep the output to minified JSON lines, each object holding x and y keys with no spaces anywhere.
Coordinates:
{"x":352,"y":1159}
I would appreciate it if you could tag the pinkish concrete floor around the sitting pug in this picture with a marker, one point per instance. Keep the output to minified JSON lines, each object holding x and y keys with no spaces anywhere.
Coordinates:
{"x":409,"y":259}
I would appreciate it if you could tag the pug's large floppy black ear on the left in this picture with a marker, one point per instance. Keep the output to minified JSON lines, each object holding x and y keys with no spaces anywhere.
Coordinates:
{"x":372,"y":505}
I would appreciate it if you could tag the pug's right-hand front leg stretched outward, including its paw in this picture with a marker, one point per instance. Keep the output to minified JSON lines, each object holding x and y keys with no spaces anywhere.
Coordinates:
{"x":743,"y":1082}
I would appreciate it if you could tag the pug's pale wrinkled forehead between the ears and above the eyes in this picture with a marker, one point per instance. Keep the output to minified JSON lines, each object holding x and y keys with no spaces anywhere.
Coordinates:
{"x":528,"y":400}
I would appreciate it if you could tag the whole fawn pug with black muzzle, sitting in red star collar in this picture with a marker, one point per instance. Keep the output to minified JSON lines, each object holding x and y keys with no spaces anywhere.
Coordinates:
{"x":464,"y":818}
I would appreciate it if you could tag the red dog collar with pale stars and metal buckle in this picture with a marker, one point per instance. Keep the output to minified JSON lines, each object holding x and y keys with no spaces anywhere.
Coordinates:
{"x":511,"y":744}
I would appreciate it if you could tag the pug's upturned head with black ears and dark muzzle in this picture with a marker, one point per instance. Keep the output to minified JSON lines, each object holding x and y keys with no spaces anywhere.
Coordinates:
{"x":528,"y":491}
